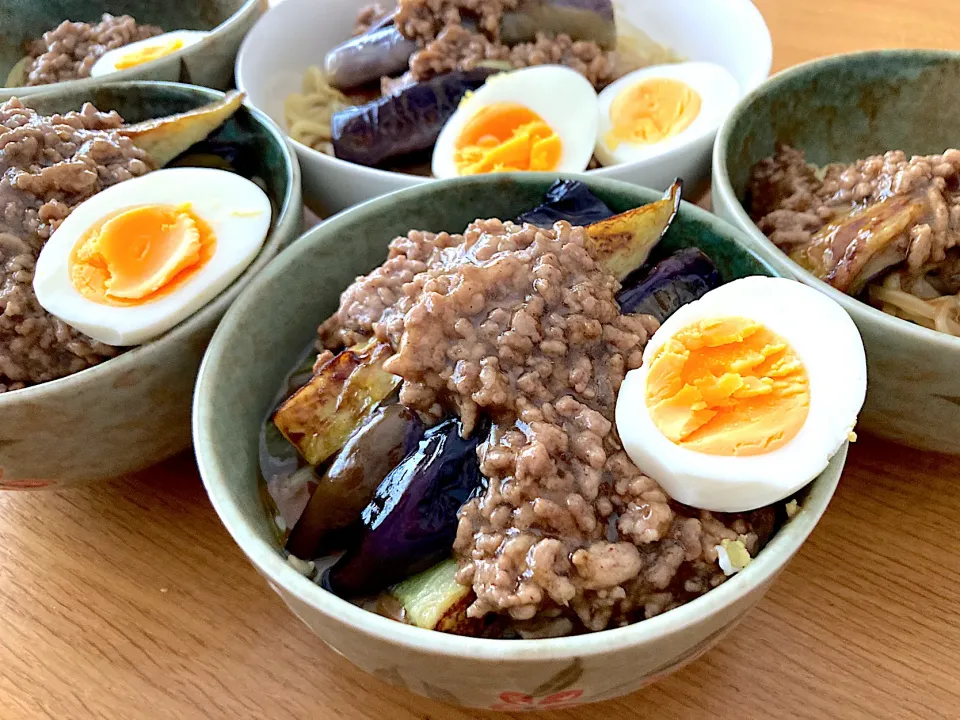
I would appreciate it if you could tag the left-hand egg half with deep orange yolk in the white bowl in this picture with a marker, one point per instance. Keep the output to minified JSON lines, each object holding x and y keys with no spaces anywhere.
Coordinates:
{"x":537,"y":119}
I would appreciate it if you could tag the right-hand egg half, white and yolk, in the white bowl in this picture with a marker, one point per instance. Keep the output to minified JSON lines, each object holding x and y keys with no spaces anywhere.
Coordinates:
{"x":653,"y":110}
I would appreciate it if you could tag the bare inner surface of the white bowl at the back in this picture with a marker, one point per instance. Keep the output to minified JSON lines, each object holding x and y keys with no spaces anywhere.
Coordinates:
{"x":298,"y":33}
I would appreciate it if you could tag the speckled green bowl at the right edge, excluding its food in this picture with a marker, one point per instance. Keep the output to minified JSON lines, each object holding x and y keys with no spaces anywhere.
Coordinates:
{"x":840,"y":109}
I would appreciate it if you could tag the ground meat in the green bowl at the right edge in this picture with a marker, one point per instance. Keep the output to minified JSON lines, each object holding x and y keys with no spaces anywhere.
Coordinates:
{"x":791,"y":201}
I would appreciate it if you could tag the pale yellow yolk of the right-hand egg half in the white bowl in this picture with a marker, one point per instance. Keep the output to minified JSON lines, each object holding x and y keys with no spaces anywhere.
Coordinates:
{"x":652,"y":111}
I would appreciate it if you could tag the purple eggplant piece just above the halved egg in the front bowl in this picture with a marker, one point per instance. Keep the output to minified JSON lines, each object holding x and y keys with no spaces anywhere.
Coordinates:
{"x":683,"y":277}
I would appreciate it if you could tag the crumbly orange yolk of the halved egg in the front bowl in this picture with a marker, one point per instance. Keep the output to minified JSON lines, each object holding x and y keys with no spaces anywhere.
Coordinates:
{"x":728,"y":386}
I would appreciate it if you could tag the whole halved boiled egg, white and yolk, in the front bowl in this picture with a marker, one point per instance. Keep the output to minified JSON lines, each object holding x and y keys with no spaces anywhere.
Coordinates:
{"x":744,"y":395}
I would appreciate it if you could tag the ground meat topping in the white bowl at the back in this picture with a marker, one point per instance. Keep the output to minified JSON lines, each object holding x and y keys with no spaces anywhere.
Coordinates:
{"x":461,"y":34}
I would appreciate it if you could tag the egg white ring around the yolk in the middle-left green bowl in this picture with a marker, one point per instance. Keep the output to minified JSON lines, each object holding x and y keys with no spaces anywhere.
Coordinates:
{"x":237,"y":211}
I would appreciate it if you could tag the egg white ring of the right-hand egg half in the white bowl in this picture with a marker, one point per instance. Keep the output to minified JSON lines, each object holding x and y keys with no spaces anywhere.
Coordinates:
{"x":718,"y":90}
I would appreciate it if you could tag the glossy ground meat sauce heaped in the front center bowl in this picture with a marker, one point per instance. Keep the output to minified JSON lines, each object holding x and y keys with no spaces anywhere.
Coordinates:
{"x":521,"y":325}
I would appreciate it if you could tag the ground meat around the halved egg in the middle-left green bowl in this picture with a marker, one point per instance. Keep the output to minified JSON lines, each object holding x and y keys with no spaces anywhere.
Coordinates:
{"x":48,"y":166}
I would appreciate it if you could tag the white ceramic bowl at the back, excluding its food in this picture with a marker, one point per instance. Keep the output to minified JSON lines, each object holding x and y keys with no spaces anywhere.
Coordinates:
{"x":296,"y":34}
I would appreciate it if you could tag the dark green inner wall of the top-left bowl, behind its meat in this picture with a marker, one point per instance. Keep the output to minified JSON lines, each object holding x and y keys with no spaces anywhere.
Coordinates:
{"x":23,"y":21}
